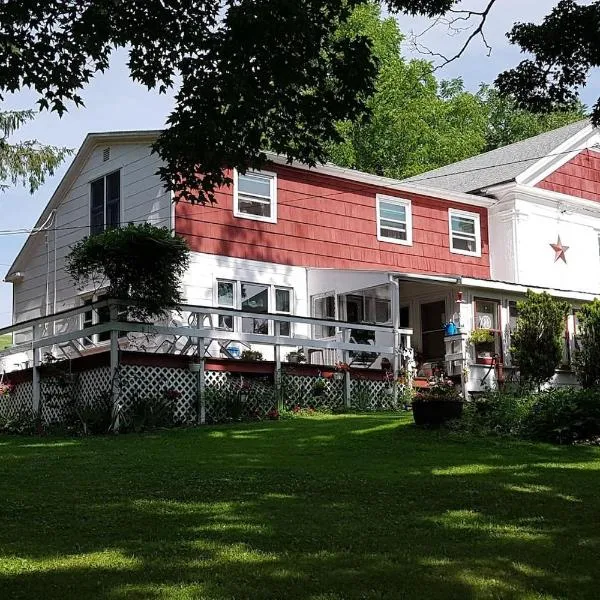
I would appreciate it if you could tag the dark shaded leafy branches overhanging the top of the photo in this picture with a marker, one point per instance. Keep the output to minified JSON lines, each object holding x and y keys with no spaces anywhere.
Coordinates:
{"x":251,"y":70}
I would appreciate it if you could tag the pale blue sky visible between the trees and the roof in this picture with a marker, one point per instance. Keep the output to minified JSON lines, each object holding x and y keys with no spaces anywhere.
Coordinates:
{"x":113,"y":102}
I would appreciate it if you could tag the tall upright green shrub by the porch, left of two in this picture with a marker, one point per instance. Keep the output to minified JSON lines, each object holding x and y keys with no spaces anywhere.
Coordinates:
{"x":538,"y":340}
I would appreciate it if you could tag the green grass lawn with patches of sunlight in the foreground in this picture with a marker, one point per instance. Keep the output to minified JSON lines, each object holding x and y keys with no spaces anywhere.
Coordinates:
{"x":314,"y":508}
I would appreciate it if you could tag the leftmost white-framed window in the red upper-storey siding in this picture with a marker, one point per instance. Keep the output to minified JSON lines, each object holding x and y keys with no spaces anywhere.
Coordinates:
{"x":255,"y":196}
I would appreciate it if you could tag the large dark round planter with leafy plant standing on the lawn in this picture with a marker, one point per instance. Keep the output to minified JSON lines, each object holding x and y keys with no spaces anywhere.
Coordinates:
{"x":437,"y":404}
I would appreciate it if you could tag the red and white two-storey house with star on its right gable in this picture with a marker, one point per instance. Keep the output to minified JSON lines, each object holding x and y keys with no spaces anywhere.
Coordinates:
{"x":462,"y":243}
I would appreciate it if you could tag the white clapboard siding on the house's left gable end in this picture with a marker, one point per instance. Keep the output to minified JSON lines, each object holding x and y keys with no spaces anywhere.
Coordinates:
{"x":142,"y":198}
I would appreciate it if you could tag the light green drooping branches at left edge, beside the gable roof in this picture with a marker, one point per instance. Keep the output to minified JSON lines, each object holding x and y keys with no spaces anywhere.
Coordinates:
{"x":26,"y":162}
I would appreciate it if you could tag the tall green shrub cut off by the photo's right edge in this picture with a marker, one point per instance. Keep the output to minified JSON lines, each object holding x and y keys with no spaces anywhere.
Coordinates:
{"x":587,"y":358}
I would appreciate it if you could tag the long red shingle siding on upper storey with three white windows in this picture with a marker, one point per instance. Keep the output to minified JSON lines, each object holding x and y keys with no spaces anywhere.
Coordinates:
{"x":330,"y":222}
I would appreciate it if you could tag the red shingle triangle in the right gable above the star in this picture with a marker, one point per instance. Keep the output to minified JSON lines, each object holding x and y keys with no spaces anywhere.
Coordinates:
{"x":579,"y":177}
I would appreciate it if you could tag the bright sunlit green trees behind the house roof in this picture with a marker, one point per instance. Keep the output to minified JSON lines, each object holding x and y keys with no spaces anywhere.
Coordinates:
{"x":418,"y":123}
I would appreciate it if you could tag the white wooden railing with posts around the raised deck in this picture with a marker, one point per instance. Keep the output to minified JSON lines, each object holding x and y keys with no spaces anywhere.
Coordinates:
{"x":190,"y":332}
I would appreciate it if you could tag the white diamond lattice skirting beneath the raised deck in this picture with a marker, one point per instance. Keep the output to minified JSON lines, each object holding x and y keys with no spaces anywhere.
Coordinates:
{"x":227,"y":396}
